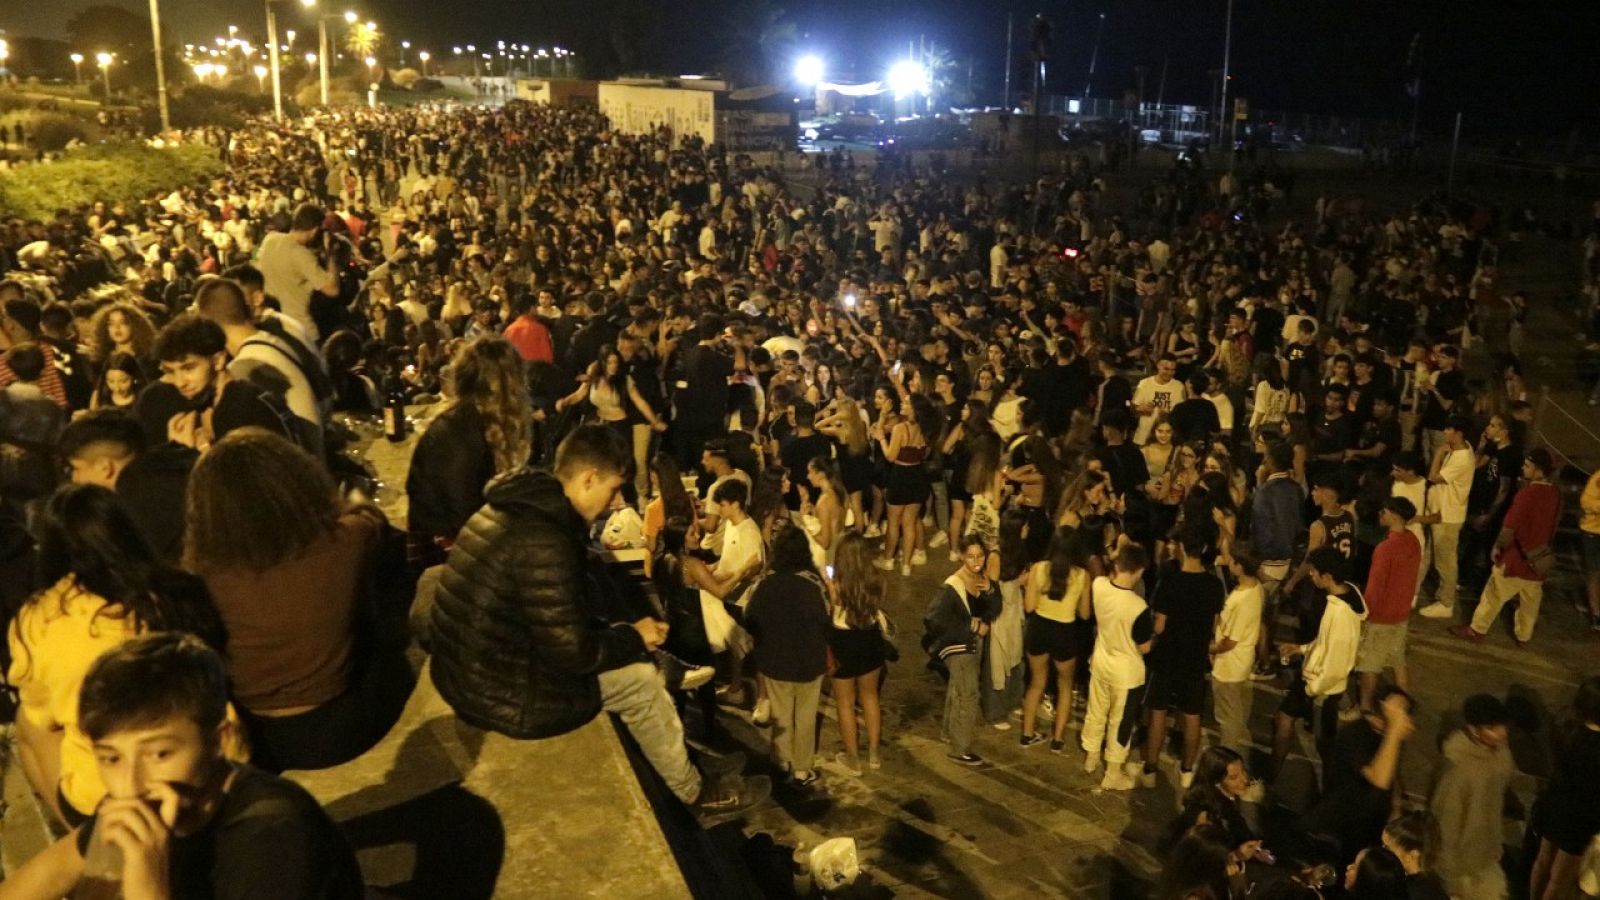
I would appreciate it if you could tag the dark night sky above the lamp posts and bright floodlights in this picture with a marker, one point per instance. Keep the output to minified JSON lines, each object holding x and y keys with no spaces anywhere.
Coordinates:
{"x":1505,"y":63}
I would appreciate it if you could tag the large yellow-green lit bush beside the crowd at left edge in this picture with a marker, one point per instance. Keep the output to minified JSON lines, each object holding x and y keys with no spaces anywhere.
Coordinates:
{"x":105,"y":172}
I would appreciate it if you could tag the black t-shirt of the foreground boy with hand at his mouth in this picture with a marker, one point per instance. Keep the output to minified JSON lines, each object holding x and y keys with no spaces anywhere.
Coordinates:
{"x":268,"y":840}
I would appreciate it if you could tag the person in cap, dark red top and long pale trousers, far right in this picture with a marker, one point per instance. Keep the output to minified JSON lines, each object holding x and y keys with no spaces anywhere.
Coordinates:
{"x":1522,"y":553}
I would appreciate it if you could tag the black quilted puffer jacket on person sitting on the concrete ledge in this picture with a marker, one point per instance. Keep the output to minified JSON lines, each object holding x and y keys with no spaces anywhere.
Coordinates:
{"x":514,"y":649}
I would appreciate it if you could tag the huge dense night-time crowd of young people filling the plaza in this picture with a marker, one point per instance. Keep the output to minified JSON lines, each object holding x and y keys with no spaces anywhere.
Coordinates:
{"x":1169,"y":452}
